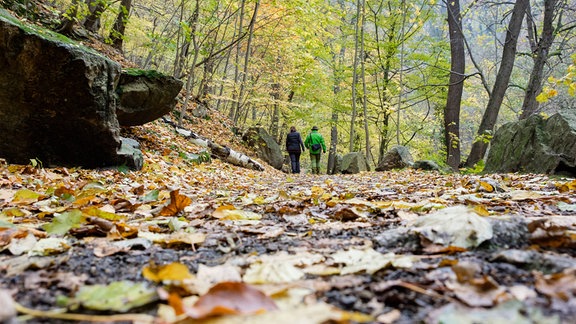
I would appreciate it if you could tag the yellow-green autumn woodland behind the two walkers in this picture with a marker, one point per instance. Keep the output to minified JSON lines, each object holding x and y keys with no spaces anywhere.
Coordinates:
{"x":436,"y":76}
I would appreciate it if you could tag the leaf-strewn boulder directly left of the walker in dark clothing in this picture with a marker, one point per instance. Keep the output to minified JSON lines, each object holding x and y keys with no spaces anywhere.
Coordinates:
{"x":265,"y":146}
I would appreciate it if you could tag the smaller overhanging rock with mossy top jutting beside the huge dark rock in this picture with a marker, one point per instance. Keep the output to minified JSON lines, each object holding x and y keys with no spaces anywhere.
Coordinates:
{"x":145,"y":96}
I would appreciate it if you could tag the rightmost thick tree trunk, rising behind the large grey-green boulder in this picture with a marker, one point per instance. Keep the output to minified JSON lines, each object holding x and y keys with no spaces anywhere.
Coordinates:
{"x":530,"y":105}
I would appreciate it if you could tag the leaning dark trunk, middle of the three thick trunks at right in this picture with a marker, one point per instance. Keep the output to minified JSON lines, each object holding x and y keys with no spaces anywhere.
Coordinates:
{"x":490,"y":116}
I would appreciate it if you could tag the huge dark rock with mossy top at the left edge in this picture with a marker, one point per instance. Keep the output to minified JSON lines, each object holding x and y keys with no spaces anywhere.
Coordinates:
{"x":57,"y":100}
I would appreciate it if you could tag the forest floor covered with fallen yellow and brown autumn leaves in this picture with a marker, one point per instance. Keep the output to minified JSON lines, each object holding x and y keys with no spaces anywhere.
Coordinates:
{"x":211,"y":242}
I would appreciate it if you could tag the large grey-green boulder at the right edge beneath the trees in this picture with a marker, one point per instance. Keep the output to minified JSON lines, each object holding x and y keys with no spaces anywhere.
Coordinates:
{"x":535,"y":145}
